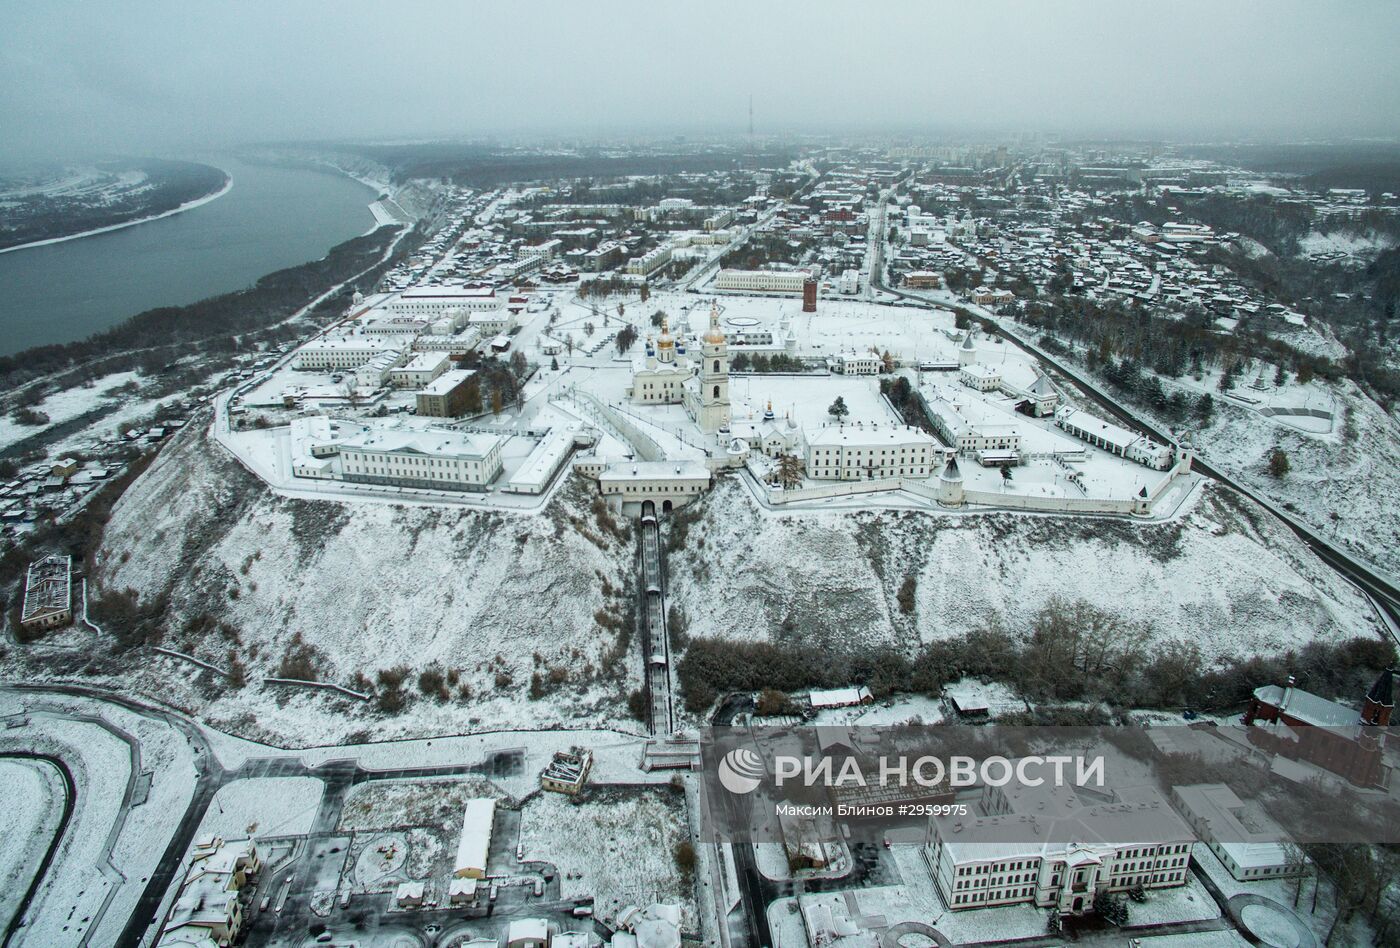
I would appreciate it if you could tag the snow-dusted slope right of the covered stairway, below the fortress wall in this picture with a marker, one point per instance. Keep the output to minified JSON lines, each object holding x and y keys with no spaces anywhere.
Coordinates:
{"x":1226,"y":576}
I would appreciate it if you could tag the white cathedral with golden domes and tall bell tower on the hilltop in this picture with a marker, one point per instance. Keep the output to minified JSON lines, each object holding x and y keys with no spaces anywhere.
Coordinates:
{"x":670,"y":376}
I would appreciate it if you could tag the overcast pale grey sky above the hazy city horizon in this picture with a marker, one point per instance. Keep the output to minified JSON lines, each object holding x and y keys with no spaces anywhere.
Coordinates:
{"x":162,"y":76}
